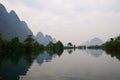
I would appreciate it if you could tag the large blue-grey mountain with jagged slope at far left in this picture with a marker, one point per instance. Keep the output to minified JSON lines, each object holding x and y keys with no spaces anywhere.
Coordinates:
{"x":11,"y":25}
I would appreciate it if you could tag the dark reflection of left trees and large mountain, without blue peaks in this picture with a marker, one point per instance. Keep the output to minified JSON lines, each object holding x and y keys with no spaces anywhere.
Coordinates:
{"x":15,"y":63}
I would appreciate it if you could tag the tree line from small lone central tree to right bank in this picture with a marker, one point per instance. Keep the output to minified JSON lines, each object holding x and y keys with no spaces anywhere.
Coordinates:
{"x":111,"y":45}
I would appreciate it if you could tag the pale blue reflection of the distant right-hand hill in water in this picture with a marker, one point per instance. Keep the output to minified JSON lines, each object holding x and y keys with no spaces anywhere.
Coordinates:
{"x":94,"y":53}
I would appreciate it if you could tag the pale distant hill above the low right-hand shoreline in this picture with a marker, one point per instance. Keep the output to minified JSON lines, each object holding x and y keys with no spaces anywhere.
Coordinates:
{"x":94,"y":41}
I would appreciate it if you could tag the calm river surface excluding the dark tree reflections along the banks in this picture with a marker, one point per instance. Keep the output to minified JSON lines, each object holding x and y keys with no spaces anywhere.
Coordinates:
{"x":70,"y":65}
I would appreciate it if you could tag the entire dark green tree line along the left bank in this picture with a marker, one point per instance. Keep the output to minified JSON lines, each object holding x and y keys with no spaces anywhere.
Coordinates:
{"x":29,"y":45}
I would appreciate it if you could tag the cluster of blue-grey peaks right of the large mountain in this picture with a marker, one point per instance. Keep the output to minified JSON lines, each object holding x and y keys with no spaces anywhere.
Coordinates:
{"x":45,"y":40}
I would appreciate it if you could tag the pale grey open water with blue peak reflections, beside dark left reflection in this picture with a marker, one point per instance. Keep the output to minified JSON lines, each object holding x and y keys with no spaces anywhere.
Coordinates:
{"x":76,"y":66}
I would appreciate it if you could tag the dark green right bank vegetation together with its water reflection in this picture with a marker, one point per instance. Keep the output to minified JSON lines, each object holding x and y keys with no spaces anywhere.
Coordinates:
{"x":111,"y":47}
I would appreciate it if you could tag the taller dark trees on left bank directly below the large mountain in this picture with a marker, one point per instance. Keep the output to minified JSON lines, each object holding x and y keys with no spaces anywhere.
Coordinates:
{"x":15,"y":45}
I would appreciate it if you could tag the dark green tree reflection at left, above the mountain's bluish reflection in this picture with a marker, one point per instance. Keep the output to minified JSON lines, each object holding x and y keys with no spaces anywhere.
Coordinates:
{"x":15,"y":55}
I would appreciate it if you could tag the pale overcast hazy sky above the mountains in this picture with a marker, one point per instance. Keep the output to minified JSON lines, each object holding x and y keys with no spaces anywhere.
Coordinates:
{"x":76,"y":21}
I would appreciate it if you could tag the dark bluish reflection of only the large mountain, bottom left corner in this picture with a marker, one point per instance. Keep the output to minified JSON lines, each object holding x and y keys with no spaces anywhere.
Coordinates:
{"x":11,"y":71}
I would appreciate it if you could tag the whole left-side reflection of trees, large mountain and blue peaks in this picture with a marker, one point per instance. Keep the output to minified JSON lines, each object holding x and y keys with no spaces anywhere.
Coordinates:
{"x":14,"y":64}
